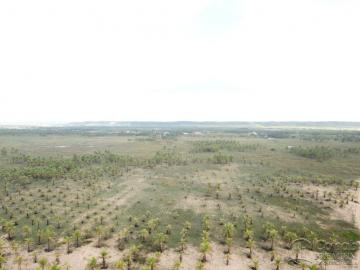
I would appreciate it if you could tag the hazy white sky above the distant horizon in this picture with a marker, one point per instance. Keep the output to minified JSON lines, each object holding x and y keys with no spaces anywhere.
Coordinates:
{"x":166,"y":60}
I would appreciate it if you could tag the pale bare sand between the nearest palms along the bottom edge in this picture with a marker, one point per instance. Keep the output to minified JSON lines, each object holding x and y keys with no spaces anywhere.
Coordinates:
{"x":239,"y":260}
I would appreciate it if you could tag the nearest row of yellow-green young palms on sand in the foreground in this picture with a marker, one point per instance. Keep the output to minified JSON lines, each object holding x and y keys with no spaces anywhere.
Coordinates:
{"x":148,"y":235}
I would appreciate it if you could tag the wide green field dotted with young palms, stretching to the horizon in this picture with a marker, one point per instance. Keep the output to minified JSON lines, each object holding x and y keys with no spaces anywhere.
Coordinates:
{"x":179,"y":199}
